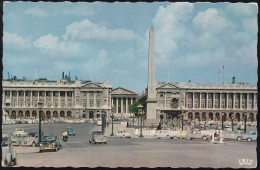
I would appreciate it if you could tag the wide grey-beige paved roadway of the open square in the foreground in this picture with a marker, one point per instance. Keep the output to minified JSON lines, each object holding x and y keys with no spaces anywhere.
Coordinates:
{"x":138,"y":152}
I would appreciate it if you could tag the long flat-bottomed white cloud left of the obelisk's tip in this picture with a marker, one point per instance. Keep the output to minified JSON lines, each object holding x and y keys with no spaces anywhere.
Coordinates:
{"x":86,"y":30}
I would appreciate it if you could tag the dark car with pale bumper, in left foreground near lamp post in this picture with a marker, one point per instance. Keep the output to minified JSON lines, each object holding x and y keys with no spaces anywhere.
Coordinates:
{"x":50,"y":143}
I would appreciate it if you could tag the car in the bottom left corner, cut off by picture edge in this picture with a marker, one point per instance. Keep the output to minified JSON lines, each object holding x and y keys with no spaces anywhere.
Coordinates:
{"x":8,"y":152}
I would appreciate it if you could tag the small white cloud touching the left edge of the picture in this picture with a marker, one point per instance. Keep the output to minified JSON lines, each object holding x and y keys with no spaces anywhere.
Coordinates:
{"x":15,"y":41}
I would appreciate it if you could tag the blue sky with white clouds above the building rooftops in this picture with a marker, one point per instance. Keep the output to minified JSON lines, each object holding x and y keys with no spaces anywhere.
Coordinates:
{"x":201,"y":42}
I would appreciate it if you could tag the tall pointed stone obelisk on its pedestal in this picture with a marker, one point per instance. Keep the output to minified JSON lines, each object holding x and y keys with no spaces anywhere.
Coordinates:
{"x":151,"y":88}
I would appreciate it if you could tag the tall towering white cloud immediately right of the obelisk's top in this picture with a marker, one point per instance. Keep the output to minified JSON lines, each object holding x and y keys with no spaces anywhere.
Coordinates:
{"x":169,"y":25}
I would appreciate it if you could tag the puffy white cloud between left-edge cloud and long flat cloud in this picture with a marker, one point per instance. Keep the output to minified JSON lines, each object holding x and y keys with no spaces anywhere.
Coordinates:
{"x":51,"y":45}
